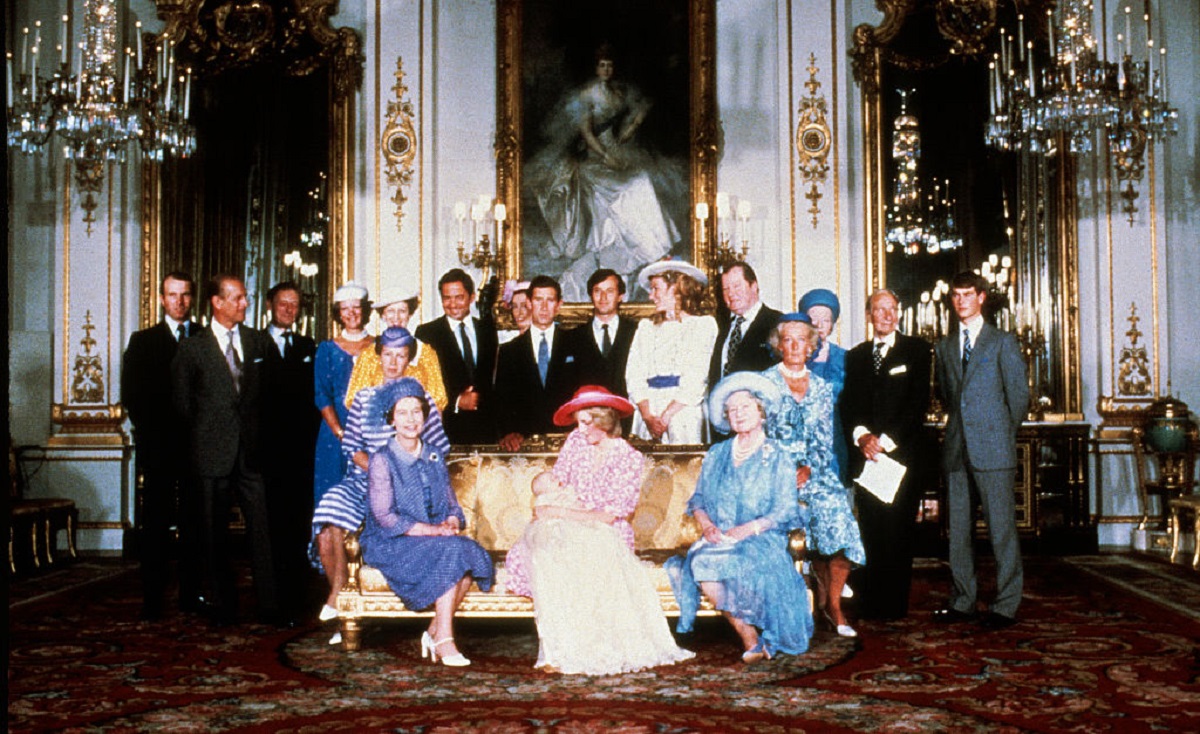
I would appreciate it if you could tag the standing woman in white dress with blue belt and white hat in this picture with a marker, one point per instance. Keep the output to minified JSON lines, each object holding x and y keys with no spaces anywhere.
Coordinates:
{"x":668,"y":368}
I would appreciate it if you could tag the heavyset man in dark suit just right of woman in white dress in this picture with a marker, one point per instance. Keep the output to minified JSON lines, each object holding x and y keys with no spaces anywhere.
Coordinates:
{"x":742,"y":336}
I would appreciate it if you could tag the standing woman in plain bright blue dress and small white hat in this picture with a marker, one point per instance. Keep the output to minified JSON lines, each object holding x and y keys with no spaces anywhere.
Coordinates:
{"x":332,"y":376}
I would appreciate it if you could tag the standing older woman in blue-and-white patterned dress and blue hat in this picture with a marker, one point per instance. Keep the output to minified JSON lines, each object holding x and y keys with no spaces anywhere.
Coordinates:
{"x":803,"y":428}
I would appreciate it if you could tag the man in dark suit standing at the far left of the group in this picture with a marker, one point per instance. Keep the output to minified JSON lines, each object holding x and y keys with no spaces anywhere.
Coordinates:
{"x":161,"y":448}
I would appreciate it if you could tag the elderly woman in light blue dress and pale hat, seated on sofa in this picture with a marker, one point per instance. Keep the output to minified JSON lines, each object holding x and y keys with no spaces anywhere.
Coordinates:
{"x":746,"y":506}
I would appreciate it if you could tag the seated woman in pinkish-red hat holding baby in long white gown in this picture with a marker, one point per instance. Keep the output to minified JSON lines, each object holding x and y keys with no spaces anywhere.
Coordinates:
{"x":581,"y":542}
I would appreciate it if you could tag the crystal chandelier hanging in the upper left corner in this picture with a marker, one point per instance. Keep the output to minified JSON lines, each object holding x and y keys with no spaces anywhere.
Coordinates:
{"x":98,"y":99}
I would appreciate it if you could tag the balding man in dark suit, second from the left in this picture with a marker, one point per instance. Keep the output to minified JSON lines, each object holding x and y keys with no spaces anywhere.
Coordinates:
{"x":218,"y":388}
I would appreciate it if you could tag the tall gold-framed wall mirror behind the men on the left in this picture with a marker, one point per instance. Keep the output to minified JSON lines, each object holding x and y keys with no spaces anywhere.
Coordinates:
{"x":266,"y":195}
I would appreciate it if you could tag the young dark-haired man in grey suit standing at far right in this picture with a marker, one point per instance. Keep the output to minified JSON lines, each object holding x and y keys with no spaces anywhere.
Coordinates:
{"x":985,"y":388}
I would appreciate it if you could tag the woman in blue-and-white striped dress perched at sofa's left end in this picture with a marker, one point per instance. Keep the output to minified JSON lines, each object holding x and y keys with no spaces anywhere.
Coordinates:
{"x":344,"y":508}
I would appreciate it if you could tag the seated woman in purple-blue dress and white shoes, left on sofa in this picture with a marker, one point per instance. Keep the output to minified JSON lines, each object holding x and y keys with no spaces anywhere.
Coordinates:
{"x":412,"y":533}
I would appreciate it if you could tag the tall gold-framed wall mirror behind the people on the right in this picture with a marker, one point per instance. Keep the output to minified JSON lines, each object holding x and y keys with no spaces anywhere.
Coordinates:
{"x":941,"y":201}
